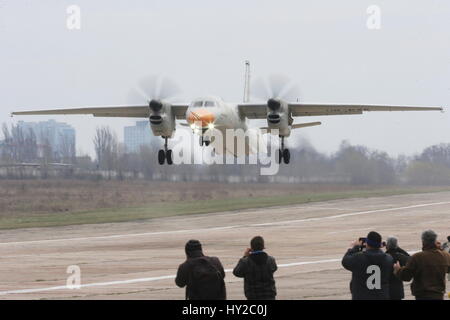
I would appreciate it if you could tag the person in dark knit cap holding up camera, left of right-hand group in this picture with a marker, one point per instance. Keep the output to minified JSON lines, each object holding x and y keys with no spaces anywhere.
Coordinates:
{"x":371,"y":269}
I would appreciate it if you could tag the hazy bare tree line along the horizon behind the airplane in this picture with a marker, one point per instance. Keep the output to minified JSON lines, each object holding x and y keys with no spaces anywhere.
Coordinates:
{"x":351,"y":164}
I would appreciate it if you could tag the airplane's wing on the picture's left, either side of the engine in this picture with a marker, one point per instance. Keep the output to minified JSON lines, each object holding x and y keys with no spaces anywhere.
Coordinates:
{"x":140,"y":111}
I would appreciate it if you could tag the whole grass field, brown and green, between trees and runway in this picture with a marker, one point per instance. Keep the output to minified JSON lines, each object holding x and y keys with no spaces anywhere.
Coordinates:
{"x":45,"y":203}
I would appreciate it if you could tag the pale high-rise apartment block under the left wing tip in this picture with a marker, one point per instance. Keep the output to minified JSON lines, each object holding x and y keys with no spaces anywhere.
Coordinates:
{"x":51,"y":136}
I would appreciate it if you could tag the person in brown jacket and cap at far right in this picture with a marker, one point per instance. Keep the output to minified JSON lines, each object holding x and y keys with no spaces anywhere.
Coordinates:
{"x":427,"y":269}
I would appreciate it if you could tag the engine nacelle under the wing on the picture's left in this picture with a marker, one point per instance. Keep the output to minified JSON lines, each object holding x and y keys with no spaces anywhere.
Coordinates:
{"x":162,"y":120}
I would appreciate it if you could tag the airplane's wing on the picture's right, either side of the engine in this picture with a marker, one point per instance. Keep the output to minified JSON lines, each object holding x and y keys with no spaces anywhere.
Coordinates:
{"x":259,"y":111}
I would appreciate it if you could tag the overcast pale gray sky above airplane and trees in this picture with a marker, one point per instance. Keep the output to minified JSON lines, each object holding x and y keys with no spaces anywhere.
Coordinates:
{"x":324,"y":46}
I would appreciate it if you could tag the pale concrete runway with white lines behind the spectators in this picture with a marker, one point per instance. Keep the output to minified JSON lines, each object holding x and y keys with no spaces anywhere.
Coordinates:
{"x":138,"y":260}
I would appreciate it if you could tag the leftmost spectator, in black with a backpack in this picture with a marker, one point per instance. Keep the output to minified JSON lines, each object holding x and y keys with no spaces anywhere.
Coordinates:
{"x":203,"y":276}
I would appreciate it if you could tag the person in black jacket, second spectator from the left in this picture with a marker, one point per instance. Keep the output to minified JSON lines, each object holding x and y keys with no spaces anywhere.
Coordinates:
{"x":257,"y":269}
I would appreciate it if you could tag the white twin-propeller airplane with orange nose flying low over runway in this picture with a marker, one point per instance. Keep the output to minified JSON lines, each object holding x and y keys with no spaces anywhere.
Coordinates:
{"x":213,"y":113}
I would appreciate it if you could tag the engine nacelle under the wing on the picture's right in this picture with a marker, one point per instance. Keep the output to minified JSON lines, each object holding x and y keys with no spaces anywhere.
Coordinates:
{"x":278,"y":116}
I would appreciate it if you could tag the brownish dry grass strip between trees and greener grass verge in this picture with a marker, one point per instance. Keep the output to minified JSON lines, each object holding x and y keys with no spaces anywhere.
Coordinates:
{"x":46,"y":196}
